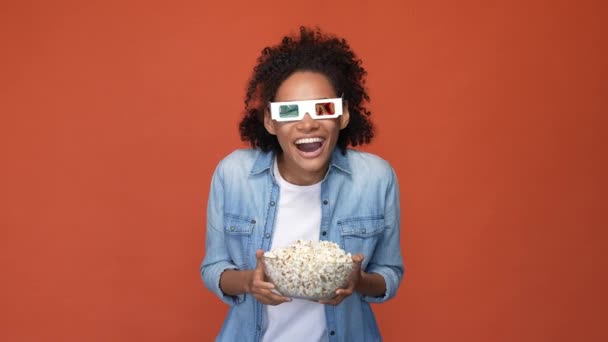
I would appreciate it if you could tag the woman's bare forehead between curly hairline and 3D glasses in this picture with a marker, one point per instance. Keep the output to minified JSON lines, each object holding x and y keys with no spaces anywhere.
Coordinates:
{"x":305,"y":85}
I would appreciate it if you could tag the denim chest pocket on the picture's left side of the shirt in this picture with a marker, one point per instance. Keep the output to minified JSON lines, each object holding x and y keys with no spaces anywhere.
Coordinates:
{"x":238,"y":235}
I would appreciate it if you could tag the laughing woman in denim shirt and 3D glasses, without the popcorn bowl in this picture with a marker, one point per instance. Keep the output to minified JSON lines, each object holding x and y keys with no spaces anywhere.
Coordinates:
{"x":305,"y":104}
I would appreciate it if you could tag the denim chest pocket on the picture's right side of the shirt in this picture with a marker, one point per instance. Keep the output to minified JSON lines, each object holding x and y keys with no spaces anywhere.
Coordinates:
{"x":361,"y":234}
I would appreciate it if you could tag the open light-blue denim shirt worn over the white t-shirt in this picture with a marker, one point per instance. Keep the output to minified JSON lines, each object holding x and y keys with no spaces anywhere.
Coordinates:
{"x":359,"y":211}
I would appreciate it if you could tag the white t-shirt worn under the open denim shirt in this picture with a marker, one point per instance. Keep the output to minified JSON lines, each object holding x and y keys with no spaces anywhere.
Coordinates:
{"x":298,"y":218}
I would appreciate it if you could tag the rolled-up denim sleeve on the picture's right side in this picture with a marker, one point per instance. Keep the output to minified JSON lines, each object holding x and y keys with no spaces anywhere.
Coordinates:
{"x":387,"y":260}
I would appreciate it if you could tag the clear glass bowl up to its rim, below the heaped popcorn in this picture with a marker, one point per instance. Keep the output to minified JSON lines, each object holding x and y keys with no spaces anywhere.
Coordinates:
{"x":314,"y":281}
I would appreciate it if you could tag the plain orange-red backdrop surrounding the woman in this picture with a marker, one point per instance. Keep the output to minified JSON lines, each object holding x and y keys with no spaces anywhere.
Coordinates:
{"x":115,"y":113}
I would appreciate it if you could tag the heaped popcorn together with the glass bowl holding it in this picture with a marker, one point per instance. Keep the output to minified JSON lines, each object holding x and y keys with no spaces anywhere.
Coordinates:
{"x":307,"y":269}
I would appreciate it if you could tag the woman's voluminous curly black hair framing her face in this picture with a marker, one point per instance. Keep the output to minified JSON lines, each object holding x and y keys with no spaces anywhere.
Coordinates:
{"x":311,"y":51}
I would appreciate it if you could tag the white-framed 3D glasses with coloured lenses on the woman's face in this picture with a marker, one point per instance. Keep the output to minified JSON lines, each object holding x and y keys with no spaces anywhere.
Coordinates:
{"x":295,"y":110}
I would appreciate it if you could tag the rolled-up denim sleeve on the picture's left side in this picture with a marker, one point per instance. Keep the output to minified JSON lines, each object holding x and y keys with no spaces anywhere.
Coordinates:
{"x":217,"y":258}
